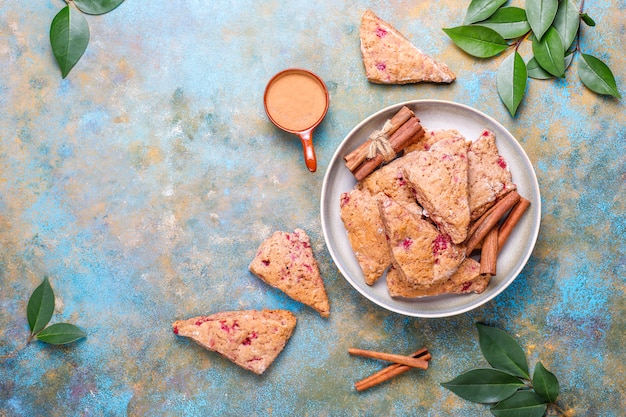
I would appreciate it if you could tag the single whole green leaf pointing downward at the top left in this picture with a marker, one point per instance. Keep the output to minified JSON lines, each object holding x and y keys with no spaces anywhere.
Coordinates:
{"x":69,"y":36}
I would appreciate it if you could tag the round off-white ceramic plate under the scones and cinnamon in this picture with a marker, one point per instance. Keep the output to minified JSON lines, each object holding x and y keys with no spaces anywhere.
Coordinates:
{"x":433,"y":114}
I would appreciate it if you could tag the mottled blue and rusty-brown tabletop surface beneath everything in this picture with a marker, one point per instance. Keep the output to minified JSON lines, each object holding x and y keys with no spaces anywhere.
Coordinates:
{"x":144,"y":182}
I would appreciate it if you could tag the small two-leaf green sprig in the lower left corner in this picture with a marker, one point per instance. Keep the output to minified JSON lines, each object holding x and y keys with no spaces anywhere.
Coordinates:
{"x":39,"y":312}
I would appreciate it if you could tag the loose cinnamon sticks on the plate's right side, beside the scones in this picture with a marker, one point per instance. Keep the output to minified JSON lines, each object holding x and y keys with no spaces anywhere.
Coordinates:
{"x":492,"y":236}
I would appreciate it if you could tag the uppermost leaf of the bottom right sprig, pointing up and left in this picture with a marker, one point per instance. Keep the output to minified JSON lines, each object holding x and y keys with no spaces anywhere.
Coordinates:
{"x":500,"y":349}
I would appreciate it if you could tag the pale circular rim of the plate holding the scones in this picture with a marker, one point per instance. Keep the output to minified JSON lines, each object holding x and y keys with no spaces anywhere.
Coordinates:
{"x":470,"y":306}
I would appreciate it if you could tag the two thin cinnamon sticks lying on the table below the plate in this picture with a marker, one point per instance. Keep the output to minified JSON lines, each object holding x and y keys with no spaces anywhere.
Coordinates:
{"x":401,"y":364}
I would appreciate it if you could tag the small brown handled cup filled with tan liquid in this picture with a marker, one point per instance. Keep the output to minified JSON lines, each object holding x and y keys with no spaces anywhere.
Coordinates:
{"x":296,"y":100}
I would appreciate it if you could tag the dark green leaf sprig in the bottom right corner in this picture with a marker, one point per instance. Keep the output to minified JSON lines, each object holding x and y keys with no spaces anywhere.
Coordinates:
{"x":508,"y":385}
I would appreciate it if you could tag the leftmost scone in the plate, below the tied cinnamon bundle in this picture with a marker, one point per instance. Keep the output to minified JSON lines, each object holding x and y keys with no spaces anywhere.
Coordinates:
{"x":366,"y":233}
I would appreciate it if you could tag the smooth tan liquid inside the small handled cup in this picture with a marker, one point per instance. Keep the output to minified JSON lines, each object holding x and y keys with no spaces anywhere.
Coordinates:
{"x":296,"y":101}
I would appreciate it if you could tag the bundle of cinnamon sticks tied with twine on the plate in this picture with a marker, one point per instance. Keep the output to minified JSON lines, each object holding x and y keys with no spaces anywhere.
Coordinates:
{"x":400,"y":131}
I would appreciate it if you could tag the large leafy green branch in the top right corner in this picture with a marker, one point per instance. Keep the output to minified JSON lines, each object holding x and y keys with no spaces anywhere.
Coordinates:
{"x":553,"y":27}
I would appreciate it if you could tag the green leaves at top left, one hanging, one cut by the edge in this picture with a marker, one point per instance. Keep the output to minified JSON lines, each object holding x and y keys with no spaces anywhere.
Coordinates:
{"x":69,"y":31}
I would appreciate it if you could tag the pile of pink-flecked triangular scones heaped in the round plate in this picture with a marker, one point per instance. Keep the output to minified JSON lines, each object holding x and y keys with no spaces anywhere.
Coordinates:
{"x":410,"y":218}
